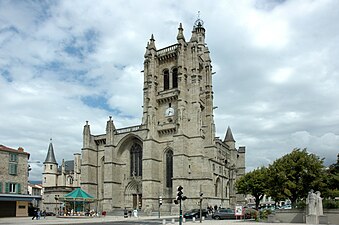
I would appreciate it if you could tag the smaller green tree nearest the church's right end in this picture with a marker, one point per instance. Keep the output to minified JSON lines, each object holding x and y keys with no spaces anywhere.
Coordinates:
{"x":253,"y":183}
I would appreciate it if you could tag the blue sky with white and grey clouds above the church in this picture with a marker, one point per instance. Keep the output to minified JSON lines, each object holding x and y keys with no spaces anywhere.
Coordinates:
{"x":276,"y":65}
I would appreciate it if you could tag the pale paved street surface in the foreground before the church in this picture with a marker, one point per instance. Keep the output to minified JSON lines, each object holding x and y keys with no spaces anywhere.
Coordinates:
{"x":168,"y":221}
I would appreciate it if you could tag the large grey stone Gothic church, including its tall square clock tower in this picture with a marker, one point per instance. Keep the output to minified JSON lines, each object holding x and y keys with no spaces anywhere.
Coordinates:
{"x":175,"y":143}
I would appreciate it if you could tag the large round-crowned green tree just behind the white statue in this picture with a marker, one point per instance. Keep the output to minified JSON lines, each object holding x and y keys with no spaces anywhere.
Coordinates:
{"x":295,"y":174}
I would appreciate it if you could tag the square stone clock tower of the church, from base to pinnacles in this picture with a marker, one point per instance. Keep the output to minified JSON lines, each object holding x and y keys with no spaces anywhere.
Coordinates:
{"x":178,"y":112}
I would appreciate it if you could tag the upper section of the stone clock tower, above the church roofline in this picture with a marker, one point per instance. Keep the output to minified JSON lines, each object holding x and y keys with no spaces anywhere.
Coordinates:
{"x":178,"y":96}
